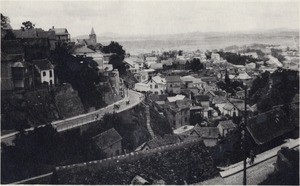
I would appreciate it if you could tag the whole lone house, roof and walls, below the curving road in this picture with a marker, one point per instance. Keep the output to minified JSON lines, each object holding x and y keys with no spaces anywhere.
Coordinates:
{"x":109,"y":142}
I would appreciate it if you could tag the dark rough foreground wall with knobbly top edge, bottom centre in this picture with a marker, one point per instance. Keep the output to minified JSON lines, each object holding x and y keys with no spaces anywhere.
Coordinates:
{"x":186,"y":161}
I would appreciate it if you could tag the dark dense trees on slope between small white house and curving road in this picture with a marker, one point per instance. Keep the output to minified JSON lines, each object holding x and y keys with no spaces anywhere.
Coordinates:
{"x":83,"y":76}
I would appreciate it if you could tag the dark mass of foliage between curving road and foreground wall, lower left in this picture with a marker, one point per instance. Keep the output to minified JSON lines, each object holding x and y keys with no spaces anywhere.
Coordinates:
{"x":39,"y":151}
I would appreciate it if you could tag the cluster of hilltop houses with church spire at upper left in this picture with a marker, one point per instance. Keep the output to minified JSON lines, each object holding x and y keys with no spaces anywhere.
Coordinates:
{"x":26,"y":60}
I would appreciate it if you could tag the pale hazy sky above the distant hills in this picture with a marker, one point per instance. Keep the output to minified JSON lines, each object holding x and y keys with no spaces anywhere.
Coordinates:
{"x":158,"y":17}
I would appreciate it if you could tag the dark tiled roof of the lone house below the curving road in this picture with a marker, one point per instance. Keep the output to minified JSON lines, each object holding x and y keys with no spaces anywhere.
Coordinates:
{"x":107,"y":138}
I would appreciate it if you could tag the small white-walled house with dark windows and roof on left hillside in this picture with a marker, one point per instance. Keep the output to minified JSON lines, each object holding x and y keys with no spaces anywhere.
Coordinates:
{"x":45,"y":70}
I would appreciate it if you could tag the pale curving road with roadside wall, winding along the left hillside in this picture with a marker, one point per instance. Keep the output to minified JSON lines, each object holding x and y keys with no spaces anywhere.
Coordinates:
{"x":62,"y":125}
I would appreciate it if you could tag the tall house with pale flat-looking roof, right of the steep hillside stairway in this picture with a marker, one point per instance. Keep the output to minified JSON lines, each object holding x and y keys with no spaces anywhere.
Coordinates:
{"x":178,"y":111}
